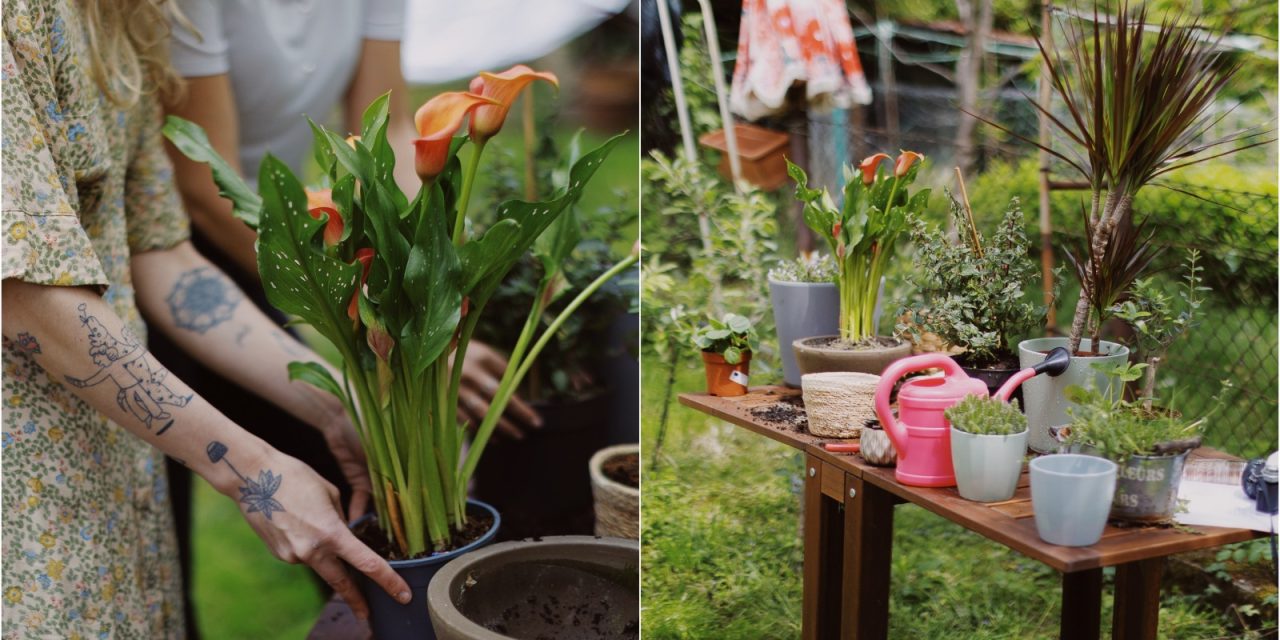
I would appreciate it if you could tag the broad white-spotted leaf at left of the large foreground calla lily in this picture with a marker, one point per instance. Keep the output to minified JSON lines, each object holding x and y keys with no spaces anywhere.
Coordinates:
{"x":299,"y":277}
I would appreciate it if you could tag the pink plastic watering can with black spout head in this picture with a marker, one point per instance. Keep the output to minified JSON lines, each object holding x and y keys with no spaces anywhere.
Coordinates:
{"x":921,"y":433}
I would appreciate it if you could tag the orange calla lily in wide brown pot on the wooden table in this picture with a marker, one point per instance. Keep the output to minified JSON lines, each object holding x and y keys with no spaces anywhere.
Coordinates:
{"x":862,"y":232}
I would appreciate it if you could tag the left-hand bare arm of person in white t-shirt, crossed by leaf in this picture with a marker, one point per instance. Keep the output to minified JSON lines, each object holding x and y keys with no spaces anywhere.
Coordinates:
{"x":211,"y":103}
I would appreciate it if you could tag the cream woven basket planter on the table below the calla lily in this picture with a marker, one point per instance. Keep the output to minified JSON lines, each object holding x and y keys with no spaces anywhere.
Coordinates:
{"x":839,"y":403}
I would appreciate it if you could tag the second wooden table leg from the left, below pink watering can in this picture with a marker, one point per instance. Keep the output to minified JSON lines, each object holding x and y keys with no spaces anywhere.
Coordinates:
{"x":868,"y":551}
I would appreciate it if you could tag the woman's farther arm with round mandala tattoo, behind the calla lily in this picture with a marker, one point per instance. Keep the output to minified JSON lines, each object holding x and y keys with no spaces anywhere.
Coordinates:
{"x":203,"y":312}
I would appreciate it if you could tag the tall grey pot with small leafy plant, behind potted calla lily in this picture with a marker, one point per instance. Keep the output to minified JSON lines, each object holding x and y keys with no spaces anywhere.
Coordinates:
{"x":806,"y":303}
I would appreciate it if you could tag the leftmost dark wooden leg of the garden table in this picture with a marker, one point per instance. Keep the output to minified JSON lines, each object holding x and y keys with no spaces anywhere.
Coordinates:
{"x":824,"y":531}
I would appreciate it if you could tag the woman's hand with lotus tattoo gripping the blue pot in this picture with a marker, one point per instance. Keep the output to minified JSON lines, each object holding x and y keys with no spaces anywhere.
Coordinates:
{"x":298,"y":514}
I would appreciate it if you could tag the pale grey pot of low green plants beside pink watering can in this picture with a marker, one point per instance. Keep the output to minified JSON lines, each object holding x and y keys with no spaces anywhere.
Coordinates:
{"x":989,"y":442}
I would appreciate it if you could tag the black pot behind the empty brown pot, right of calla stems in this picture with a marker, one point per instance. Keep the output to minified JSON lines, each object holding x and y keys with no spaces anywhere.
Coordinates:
{"x":542,"y":484}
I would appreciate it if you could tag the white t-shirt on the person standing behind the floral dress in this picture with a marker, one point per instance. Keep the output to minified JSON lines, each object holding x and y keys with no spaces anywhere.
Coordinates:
{"x":286,"y":60}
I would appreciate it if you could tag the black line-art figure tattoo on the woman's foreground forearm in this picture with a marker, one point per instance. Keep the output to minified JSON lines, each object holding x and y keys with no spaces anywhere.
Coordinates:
{"x":126,"y":364}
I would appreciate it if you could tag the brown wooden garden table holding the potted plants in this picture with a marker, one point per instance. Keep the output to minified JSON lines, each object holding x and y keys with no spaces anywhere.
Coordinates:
{"x":849,"y":538}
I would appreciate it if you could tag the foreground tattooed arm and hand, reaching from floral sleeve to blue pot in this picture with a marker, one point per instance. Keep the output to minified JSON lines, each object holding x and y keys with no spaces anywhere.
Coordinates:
{"x":79,"y":340}
